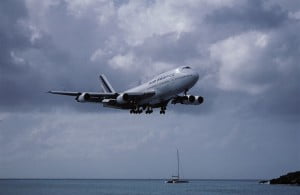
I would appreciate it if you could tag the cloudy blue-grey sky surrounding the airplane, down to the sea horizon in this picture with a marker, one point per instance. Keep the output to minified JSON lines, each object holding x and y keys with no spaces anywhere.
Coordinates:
{"x":247,"y":53}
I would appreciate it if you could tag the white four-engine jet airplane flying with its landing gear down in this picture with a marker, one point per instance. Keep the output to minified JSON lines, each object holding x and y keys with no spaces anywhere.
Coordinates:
{"x":156,"y":93}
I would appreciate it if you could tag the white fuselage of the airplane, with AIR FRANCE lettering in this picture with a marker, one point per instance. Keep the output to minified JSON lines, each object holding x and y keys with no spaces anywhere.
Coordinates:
{"x":168,"y":85}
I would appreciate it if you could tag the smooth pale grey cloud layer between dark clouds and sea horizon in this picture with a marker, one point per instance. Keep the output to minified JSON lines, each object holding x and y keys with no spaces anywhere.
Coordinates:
{"x":54,"y":140}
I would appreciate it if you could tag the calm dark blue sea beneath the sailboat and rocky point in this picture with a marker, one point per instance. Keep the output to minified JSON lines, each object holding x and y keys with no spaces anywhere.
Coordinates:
{"x":138,"y":187}
